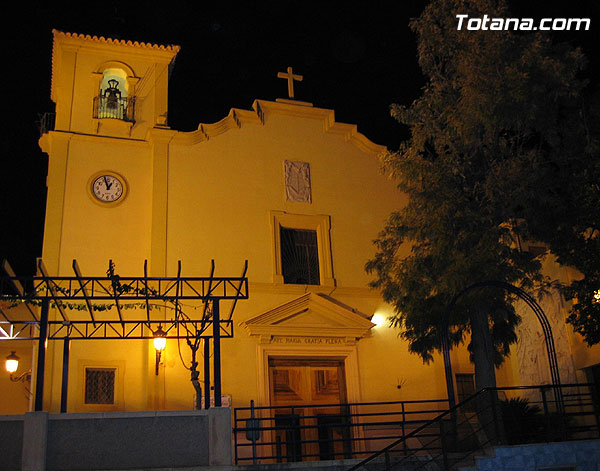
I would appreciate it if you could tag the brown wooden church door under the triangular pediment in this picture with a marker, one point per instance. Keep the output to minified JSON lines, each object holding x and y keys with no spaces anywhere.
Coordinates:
{"x":311,"y":423}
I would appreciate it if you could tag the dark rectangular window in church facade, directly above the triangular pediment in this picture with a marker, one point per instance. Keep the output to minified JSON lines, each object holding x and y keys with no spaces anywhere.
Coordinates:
{"x":299,"y":256}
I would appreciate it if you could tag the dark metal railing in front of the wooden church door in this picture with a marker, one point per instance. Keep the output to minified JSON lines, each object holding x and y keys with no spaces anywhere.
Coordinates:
{"x":325,"y":431}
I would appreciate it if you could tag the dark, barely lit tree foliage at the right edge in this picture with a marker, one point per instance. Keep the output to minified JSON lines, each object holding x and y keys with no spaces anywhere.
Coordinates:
{"x":566,"y":215}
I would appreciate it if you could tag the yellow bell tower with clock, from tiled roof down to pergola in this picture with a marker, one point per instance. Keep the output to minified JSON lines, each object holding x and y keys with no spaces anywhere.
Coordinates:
{"x":107,"y":154}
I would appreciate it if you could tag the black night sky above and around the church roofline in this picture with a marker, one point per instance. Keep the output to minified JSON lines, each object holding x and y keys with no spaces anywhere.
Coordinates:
{"x":356,"y":58}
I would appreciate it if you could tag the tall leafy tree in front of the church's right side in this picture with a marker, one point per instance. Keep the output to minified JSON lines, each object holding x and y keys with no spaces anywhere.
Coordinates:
{"x":495,"y":107}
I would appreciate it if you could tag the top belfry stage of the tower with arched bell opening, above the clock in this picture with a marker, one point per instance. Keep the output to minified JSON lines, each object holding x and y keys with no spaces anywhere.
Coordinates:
{"x":109,"y":87}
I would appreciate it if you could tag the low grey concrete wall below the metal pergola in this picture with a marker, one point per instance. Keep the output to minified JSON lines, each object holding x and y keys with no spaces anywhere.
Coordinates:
{"x":38,"y":441}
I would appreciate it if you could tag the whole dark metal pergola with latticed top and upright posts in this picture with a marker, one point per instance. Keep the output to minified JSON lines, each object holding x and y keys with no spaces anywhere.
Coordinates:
{"x":78,"y":318}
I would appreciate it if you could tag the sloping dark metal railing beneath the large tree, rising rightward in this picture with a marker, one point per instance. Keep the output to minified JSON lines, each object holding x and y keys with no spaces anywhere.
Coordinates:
{"x":492,"y":417}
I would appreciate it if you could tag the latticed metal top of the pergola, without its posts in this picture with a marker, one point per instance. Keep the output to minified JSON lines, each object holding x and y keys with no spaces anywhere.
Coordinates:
{"x":63,"y":290}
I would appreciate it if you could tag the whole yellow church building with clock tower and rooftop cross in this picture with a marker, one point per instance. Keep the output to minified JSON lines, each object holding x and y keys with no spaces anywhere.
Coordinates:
{"x":284,"y":186}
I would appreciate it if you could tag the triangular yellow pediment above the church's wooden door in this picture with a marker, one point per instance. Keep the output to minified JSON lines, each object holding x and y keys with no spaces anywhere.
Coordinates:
{"x":311,"y":318}
